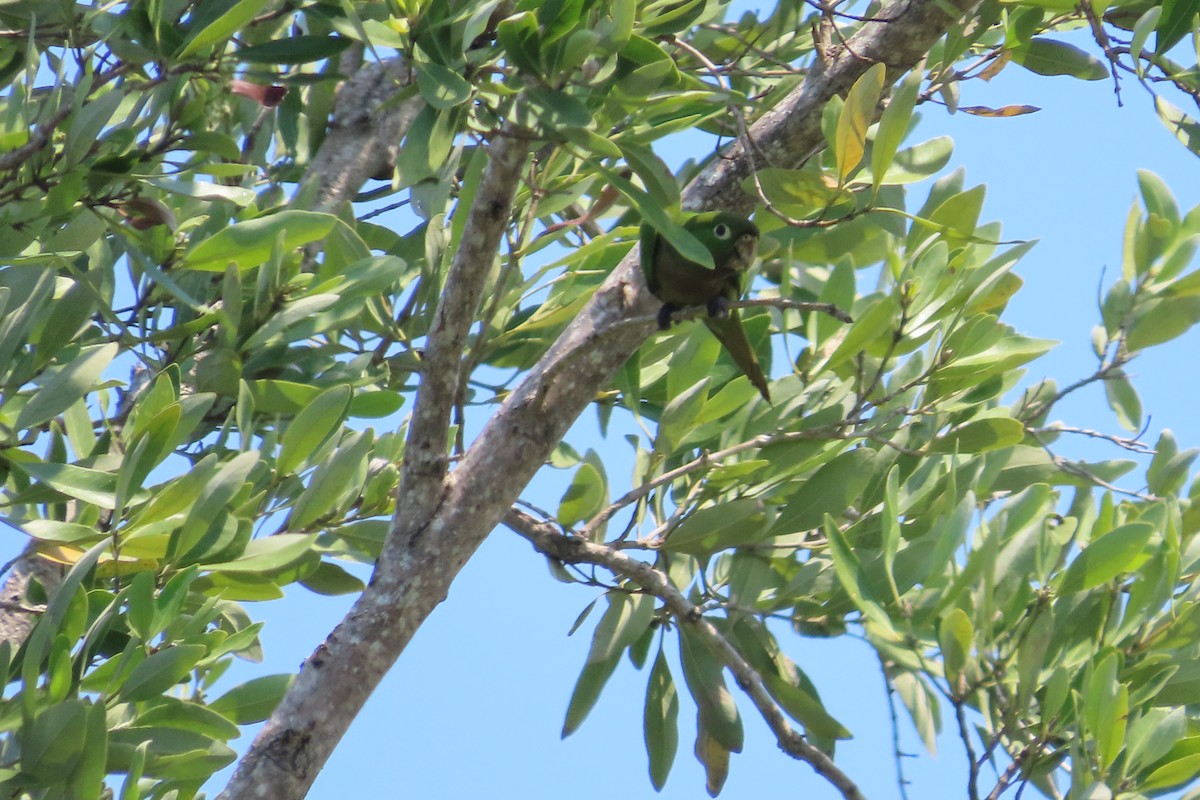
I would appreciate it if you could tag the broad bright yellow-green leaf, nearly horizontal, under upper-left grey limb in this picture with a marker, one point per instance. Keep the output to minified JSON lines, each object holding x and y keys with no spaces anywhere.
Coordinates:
{"x":249,"y":244}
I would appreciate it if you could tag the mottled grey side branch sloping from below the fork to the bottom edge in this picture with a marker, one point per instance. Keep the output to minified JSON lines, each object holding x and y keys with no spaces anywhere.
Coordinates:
{"x":574,"y":550}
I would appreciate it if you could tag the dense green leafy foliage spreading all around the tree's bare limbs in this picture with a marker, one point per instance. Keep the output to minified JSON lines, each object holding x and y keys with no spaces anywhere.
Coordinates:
{"x":195,"y":340}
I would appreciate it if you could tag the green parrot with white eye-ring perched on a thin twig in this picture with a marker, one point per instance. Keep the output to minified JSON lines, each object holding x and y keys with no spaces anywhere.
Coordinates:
{"x":680,"y":284}
